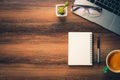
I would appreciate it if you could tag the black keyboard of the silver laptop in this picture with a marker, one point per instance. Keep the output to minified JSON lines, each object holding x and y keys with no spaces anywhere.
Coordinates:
{"x":110,"y":5}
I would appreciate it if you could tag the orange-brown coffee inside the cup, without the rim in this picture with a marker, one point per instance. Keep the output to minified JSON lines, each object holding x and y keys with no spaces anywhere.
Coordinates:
{"x":114,"y":61}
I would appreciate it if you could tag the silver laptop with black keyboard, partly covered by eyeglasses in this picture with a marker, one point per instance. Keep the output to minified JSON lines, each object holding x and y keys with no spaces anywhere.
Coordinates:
{"x":110,"y":16}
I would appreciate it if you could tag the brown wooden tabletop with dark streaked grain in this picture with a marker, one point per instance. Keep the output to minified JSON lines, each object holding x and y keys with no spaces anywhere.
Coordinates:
{"x":34,"y":43}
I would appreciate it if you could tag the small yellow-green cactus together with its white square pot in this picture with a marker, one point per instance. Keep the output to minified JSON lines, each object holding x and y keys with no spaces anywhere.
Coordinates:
{"x":61,"y":9}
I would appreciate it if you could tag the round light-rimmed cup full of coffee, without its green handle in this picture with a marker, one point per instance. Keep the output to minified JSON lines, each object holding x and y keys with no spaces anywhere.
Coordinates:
{"x":113,"y":61}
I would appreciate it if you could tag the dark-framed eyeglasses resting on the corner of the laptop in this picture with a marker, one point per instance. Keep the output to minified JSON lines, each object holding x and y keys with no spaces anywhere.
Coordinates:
{"x":91,"y":11}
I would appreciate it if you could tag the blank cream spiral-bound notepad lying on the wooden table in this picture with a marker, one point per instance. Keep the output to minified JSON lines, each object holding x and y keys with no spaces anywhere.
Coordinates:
{"x":80,"y":48}
